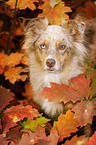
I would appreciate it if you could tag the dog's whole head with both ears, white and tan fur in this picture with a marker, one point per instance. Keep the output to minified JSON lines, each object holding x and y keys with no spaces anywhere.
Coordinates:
{"x":54,"y":46}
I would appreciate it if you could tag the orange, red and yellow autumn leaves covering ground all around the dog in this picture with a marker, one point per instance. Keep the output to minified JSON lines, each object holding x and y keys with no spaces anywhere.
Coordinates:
{"x":21,"y":120}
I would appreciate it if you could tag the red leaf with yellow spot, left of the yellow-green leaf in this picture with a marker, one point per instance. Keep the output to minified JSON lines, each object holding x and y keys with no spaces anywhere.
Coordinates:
{"x":19,"y":112}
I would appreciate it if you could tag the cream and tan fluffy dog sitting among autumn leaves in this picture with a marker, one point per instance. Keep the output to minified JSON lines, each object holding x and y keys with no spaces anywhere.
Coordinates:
{"x":56,"y":54}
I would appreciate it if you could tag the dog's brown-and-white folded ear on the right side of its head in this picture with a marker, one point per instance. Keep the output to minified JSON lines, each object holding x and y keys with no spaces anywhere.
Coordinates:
{"x":73,"y":27}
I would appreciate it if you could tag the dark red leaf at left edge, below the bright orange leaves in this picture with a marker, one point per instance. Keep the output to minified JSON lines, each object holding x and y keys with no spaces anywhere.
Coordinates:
{"x":5,"y":97}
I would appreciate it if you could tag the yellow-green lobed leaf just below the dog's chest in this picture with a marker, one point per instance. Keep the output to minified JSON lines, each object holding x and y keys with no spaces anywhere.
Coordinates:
{"x":32,"y":124}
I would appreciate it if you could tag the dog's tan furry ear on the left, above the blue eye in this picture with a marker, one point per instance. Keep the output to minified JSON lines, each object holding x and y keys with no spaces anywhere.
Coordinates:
{"x":33,"y":29}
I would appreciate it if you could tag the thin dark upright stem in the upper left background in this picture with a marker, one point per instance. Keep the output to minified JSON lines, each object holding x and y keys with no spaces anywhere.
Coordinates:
{"x":10,"y":33}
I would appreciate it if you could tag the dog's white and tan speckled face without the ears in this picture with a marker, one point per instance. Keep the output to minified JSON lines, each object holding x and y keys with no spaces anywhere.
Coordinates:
{"x":53,"y":49}
